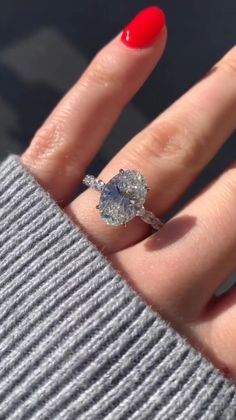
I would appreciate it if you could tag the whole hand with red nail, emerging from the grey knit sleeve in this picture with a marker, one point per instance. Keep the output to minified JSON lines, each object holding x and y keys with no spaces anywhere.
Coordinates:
{"x":178,"y":269}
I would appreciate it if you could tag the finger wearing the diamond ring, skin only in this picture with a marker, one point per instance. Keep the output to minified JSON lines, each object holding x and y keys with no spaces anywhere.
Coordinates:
{"x":170,"y":152}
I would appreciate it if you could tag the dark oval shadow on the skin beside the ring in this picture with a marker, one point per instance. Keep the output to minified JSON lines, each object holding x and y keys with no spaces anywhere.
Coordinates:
{"x":171,"y":232}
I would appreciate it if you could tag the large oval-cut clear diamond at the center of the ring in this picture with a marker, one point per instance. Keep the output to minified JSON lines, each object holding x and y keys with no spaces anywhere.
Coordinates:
{"x":122,"y":196}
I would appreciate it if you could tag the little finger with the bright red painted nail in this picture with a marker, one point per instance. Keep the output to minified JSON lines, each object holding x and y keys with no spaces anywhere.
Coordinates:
{"x":73,"y":133}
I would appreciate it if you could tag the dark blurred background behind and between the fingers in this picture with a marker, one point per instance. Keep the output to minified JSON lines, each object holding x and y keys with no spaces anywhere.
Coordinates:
{"x":45,"y":45}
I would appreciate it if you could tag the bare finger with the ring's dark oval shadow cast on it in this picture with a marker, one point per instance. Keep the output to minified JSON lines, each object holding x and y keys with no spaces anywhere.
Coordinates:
{"x":181,"y":267}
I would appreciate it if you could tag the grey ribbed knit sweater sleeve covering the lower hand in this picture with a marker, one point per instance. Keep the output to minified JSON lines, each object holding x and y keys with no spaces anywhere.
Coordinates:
{"x":75,"y":341}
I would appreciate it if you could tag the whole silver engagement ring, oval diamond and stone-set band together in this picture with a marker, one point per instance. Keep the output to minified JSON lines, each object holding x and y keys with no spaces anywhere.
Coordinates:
{"x":122,"y":198}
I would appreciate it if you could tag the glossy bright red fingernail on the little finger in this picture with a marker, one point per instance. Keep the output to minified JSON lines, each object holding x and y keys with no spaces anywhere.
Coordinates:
{"x":144,"y":29}
